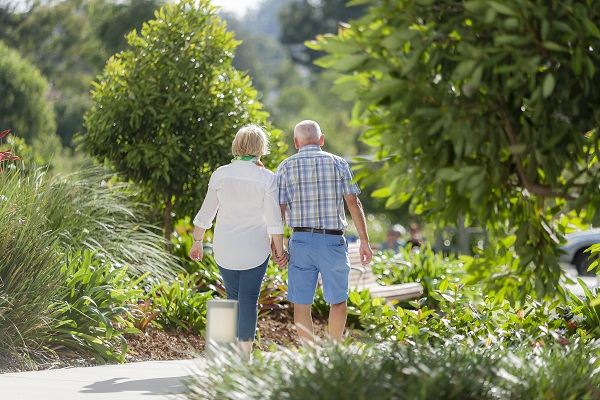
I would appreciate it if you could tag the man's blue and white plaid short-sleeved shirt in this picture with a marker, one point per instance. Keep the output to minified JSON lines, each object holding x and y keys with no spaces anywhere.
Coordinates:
{"x":312,"y":183}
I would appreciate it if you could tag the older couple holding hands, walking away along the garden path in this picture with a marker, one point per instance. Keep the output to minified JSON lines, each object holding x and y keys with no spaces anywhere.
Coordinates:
{"x":308,"y":191}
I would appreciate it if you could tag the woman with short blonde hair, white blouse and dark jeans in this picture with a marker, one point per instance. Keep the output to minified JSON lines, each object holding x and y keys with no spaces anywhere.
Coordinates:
{"x":245,"y":195}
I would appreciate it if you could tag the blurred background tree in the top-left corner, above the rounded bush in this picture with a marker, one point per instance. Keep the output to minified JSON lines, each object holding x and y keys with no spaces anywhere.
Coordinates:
{"x":57,"y":38}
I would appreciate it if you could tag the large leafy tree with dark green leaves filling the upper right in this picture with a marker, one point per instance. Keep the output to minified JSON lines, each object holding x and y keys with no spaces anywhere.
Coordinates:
{"x":482,"y":108}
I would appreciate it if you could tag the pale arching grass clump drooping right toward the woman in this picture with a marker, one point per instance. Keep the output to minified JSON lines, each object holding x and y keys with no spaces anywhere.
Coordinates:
{"x":96,"y":212}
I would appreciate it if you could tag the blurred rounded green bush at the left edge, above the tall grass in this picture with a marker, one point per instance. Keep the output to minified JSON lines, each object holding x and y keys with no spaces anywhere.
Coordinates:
{"x":23,"y":105}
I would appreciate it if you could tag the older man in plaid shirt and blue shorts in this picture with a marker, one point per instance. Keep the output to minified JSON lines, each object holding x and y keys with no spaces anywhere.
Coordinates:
{"x":313,"y":185}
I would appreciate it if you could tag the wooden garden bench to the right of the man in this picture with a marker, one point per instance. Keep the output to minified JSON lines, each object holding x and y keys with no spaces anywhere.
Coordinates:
{"x":362,"y":278}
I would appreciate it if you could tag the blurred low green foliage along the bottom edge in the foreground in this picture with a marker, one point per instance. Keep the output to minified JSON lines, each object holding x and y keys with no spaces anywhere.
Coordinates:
{"x":398,"y":371}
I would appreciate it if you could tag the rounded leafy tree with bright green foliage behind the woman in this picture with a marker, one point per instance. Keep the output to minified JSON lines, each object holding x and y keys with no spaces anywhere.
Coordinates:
{"x":166,"y":109}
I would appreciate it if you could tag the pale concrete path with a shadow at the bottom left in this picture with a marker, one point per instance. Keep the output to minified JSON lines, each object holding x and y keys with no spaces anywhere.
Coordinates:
{"x":143,"y":380}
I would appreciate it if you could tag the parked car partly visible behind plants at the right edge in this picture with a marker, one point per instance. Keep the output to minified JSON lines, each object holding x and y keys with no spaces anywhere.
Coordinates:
{"x":575,"y":248}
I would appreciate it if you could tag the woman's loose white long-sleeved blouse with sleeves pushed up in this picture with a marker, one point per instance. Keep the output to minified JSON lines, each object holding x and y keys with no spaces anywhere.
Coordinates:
{"x":244,"y":198}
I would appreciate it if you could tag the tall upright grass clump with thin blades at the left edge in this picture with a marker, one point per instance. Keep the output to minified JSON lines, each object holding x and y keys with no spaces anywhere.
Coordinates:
{"x":30,"y":272}
